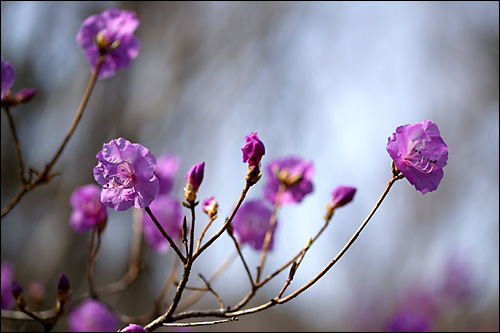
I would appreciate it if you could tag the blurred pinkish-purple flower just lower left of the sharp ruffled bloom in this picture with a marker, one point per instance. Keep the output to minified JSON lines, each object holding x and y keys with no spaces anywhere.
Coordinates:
{"x":88,"y":210}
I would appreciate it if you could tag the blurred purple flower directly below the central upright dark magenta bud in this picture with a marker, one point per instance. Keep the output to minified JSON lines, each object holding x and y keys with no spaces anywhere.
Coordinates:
{"x":251,"y":223}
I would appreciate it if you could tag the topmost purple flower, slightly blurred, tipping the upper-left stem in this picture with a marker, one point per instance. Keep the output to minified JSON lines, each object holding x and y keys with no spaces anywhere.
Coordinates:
{"x":110,"y":33}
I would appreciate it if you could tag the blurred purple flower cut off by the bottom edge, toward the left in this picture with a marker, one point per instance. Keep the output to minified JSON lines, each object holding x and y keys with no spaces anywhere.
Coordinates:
{"x":92,"y":316}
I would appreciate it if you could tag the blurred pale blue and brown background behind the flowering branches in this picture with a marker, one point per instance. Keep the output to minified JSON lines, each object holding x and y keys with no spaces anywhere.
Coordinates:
{"x":328,"y":81}
